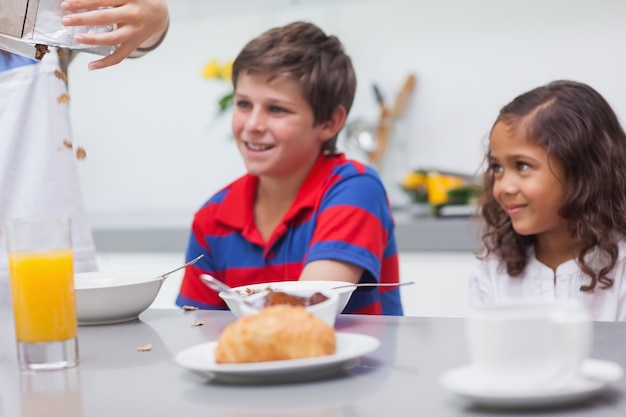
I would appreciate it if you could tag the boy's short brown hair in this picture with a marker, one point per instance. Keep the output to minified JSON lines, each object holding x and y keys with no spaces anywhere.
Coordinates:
{"x":303,"y":52}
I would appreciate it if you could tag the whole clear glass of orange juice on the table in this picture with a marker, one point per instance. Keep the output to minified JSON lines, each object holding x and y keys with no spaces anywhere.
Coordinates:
{"x":42,"y":289}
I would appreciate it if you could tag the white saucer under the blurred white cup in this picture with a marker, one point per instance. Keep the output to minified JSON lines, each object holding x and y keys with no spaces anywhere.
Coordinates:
{"x":595,"y":375}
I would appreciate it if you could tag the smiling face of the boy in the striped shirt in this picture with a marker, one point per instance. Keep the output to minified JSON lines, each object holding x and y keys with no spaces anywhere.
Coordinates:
{"x":273,"y":126}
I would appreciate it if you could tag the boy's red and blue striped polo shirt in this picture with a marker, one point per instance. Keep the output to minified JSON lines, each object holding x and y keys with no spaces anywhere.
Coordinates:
{"x":341,"y":213}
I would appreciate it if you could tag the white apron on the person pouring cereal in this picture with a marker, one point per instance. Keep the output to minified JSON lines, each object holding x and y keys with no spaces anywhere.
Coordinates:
{"x":38,"y":174}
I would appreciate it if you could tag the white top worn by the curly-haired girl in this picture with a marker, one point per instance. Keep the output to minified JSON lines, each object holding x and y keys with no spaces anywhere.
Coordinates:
{"x":489,"y":283}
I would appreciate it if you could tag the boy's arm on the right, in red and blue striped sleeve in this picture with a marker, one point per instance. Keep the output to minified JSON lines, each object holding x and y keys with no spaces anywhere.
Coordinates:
{"x":354,"y":234}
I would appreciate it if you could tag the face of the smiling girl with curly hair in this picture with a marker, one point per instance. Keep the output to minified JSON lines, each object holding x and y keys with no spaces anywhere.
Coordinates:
{"x":526,"y":185}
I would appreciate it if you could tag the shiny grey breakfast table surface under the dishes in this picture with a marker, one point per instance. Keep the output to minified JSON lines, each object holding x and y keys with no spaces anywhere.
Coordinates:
{"x":129,"y":369}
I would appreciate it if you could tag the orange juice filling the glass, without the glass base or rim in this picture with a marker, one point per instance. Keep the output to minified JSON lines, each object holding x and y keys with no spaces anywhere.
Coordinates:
{"x":44,"y":303}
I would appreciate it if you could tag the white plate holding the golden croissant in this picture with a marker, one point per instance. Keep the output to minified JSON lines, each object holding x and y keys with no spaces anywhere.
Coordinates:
{"x":350,"y":346}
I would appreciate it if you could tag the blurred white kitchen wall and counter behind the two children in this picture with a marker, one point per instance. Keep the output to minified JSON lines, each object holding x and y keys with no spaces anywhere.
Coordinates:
{"x":156,"y":151}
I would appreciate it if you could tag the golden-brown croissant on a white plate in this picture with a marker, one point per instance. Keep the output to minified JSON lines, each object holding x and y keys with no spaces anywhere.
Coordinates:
{"x":276,"y":333}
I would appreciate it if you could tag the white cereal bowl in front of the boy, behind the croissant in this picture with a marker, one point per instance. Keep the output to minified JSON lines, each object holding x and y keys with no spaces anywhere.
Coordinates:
{"x":343,"y":294}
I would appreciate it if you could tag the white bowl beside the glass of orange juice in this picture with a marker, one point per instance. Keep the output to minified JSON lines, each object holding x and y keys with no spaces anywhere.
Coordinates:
{"x":113,"y":297}
